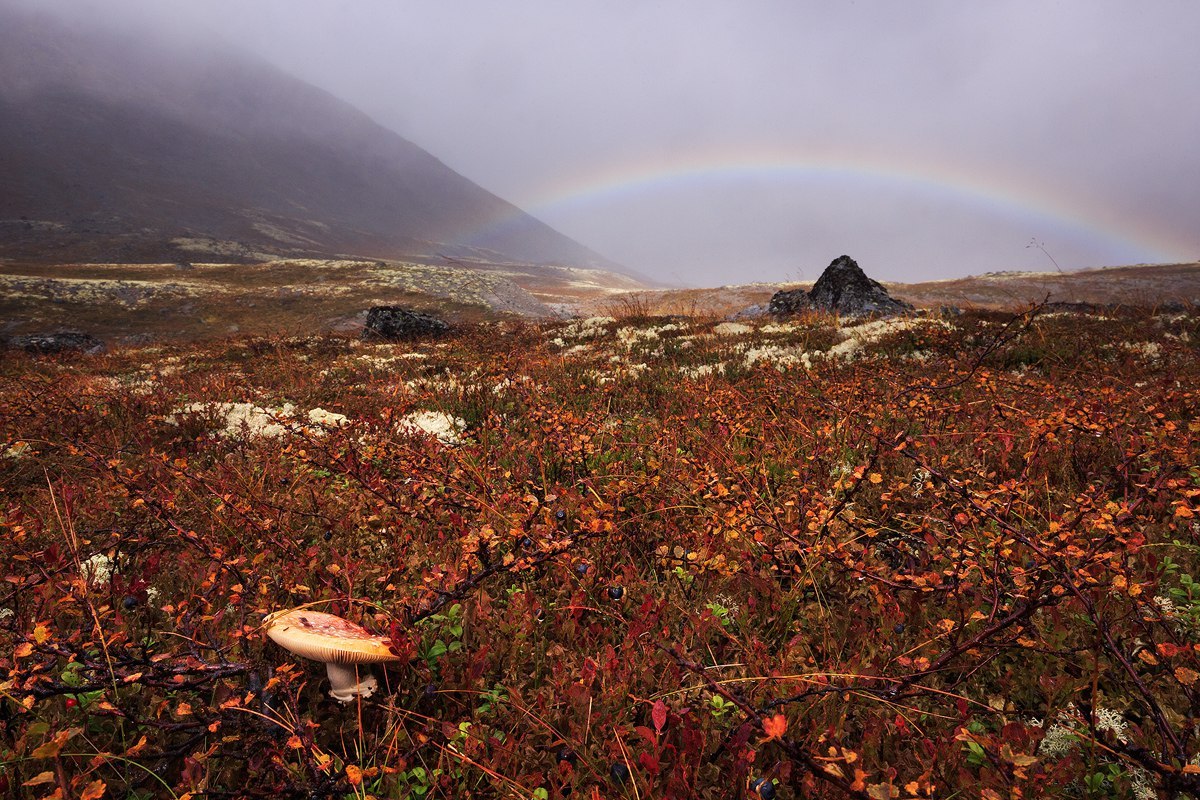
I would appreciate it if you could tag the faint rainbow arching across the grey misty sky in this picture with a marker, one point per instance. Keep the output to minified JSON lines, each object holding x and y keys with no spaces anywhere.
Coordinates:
{"x":1004,"y":194}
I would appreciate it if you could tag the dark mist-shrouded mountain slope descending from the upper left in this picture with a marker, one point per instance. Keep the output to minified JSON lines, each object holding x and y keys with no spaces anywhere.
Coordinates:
{"x":116,"y":149}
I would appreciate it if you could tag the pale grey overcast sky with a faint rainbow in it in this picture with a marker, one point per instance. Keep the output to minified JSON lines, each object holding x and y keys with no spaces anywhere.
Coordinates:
{"x":748,"y":141}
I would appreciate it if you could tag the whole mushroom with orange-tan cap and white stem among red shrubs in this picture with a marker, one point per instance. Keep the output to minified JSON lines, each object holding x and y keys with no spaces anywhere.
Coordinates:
{"x":340,"y":643}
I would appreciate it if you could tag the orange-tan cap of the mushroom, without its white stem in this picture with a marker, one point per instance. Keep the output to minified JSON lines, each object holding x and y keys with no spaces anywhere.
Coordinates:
{"x":325,"y":637}
